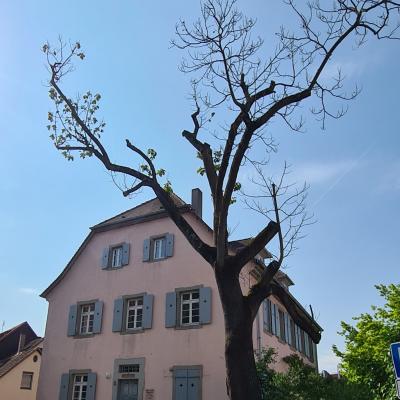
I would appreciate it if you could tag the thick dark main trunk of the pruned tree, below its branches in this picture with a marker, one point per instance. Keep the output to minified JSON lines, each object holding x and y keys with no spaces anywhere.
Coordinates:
{"x":241,"y":375}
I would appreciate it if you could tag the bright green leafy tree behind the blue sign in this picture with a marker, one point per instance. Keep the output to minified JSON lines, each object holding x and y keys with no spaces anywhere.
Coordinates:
{"x":366,"y":359}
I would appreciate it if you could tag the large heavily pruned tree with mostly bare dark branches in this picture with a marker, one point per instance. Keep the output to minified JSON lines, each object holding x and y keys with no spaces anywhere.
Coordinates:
{"x":222,"y":55}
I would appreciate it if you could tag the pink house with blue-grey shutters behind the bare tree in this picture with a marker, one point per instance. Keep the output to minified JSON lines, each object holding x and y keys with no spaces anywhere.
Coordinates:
{"x":135,"y":315}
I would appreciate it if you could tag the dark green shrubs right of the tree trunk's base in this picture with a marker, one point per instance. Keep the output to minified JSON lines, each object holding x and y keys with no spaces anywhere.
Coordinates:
{"x":303,"y":382}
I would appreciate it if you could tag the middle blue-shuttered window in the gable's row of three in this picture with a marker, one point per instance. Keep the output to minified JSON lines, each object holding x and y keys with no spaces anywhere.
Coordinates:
{"x":133,"y":313}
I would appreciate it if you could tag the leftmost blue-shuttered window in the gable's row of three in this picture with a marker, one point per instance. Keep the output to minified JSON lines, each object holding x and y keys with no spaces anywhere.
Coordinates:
{"x":85,"y":318}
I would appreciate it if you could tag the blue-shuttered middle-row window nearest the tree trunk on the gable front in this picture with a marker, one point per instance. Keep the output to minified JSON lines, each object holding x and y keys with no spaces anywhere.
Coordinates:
{"x":188,"y":307}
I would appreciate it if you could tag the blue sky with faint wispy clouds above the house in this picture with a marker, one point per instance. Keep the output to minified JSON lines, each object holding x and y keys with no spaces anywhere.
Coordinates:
{"x":48,"y":204}
